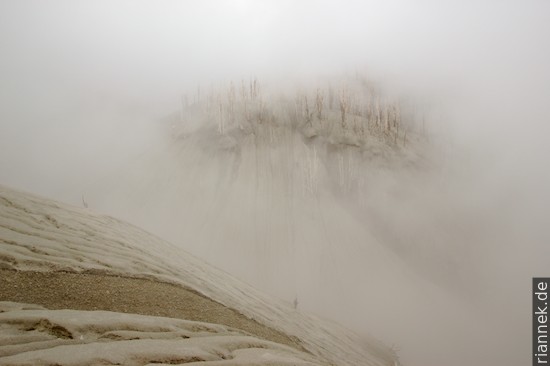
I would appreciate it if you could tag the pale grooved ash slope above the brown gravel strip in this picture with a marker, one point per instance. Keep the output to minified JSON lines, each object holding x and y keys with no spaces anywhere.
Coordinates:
{"x":44,"y":235}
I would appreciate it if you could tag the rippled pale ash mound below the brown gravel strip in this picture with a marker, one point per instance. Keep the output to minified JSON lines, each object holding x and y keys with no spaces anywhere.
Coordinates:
{"x":32,"y":335}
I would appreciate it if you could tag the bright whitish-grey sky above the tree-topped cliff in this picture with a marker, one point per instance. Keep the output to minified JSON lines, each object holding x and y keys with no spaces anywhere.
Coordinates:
{"x":486,"y":61}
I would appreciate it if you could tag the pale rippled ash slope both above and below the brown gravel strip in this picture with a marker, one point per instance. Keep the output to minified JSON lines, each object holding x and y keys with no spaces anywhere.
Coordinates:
{"x":37,"y":234}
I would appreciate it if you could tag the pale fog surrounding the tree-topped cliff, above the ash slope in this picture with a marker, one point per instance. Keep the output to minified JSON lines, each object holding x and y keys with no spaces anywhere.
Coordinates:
{"x":83,"y":86}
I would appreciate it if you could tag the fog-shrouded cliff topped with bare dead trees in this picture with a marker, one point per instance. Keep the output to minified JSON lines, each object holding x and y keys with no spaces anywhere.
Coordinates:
{"x":347,"y":211}
